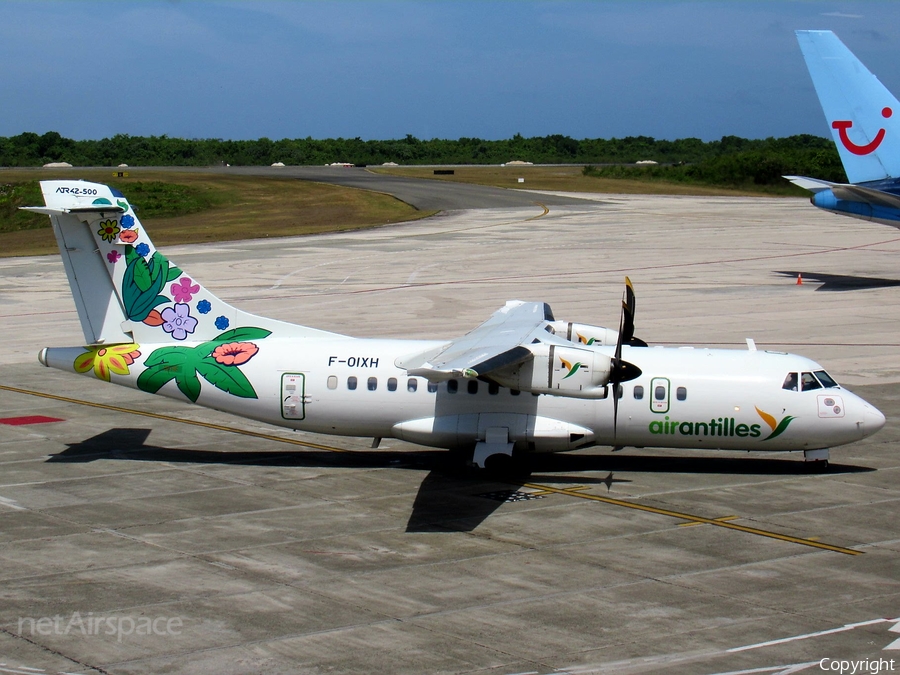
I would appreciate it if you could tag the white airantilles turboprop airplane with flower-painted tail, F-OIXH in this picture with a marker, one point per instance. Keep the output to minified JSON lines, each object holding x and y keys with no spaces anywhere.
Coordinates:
{"x":520,"y":382}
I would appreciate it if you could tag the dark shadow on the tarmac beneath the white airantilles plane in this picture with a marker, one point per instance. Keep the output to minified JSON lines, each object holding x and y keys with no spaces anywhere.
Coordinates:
{"x":452,"y":497}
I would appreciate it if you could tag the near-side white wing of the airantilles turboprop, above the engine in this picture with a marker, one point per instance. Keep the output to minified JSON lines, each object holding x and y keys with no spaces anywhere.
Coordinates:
{"x":498,"y":342}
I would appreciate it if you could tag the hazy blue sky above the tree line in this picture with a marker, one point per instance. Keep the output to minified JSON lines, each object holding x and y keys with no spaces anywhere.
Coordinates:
{"x":382,"y":70}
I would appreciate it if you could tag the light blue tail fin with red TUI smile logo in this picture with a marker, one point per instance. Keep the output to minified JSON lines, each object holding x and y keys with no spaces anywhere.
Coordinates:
{"x":863,"y":115}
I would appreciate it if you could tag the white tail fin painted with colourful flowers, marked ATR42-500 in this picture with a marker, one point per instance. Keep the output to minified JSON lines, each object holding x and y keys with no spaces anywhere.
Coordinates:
{"x":124,"y":289}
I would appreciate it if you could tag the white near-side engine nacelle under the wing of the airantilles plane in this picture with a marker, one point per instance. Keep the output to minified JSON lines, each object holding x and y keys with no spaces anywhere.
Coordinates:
{"x":561,"y":371}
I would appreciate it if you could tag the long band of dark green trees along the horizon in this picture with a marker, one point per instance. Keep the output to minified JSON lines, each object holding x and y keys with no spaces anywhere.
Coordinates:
{"x":729,"y":160}
